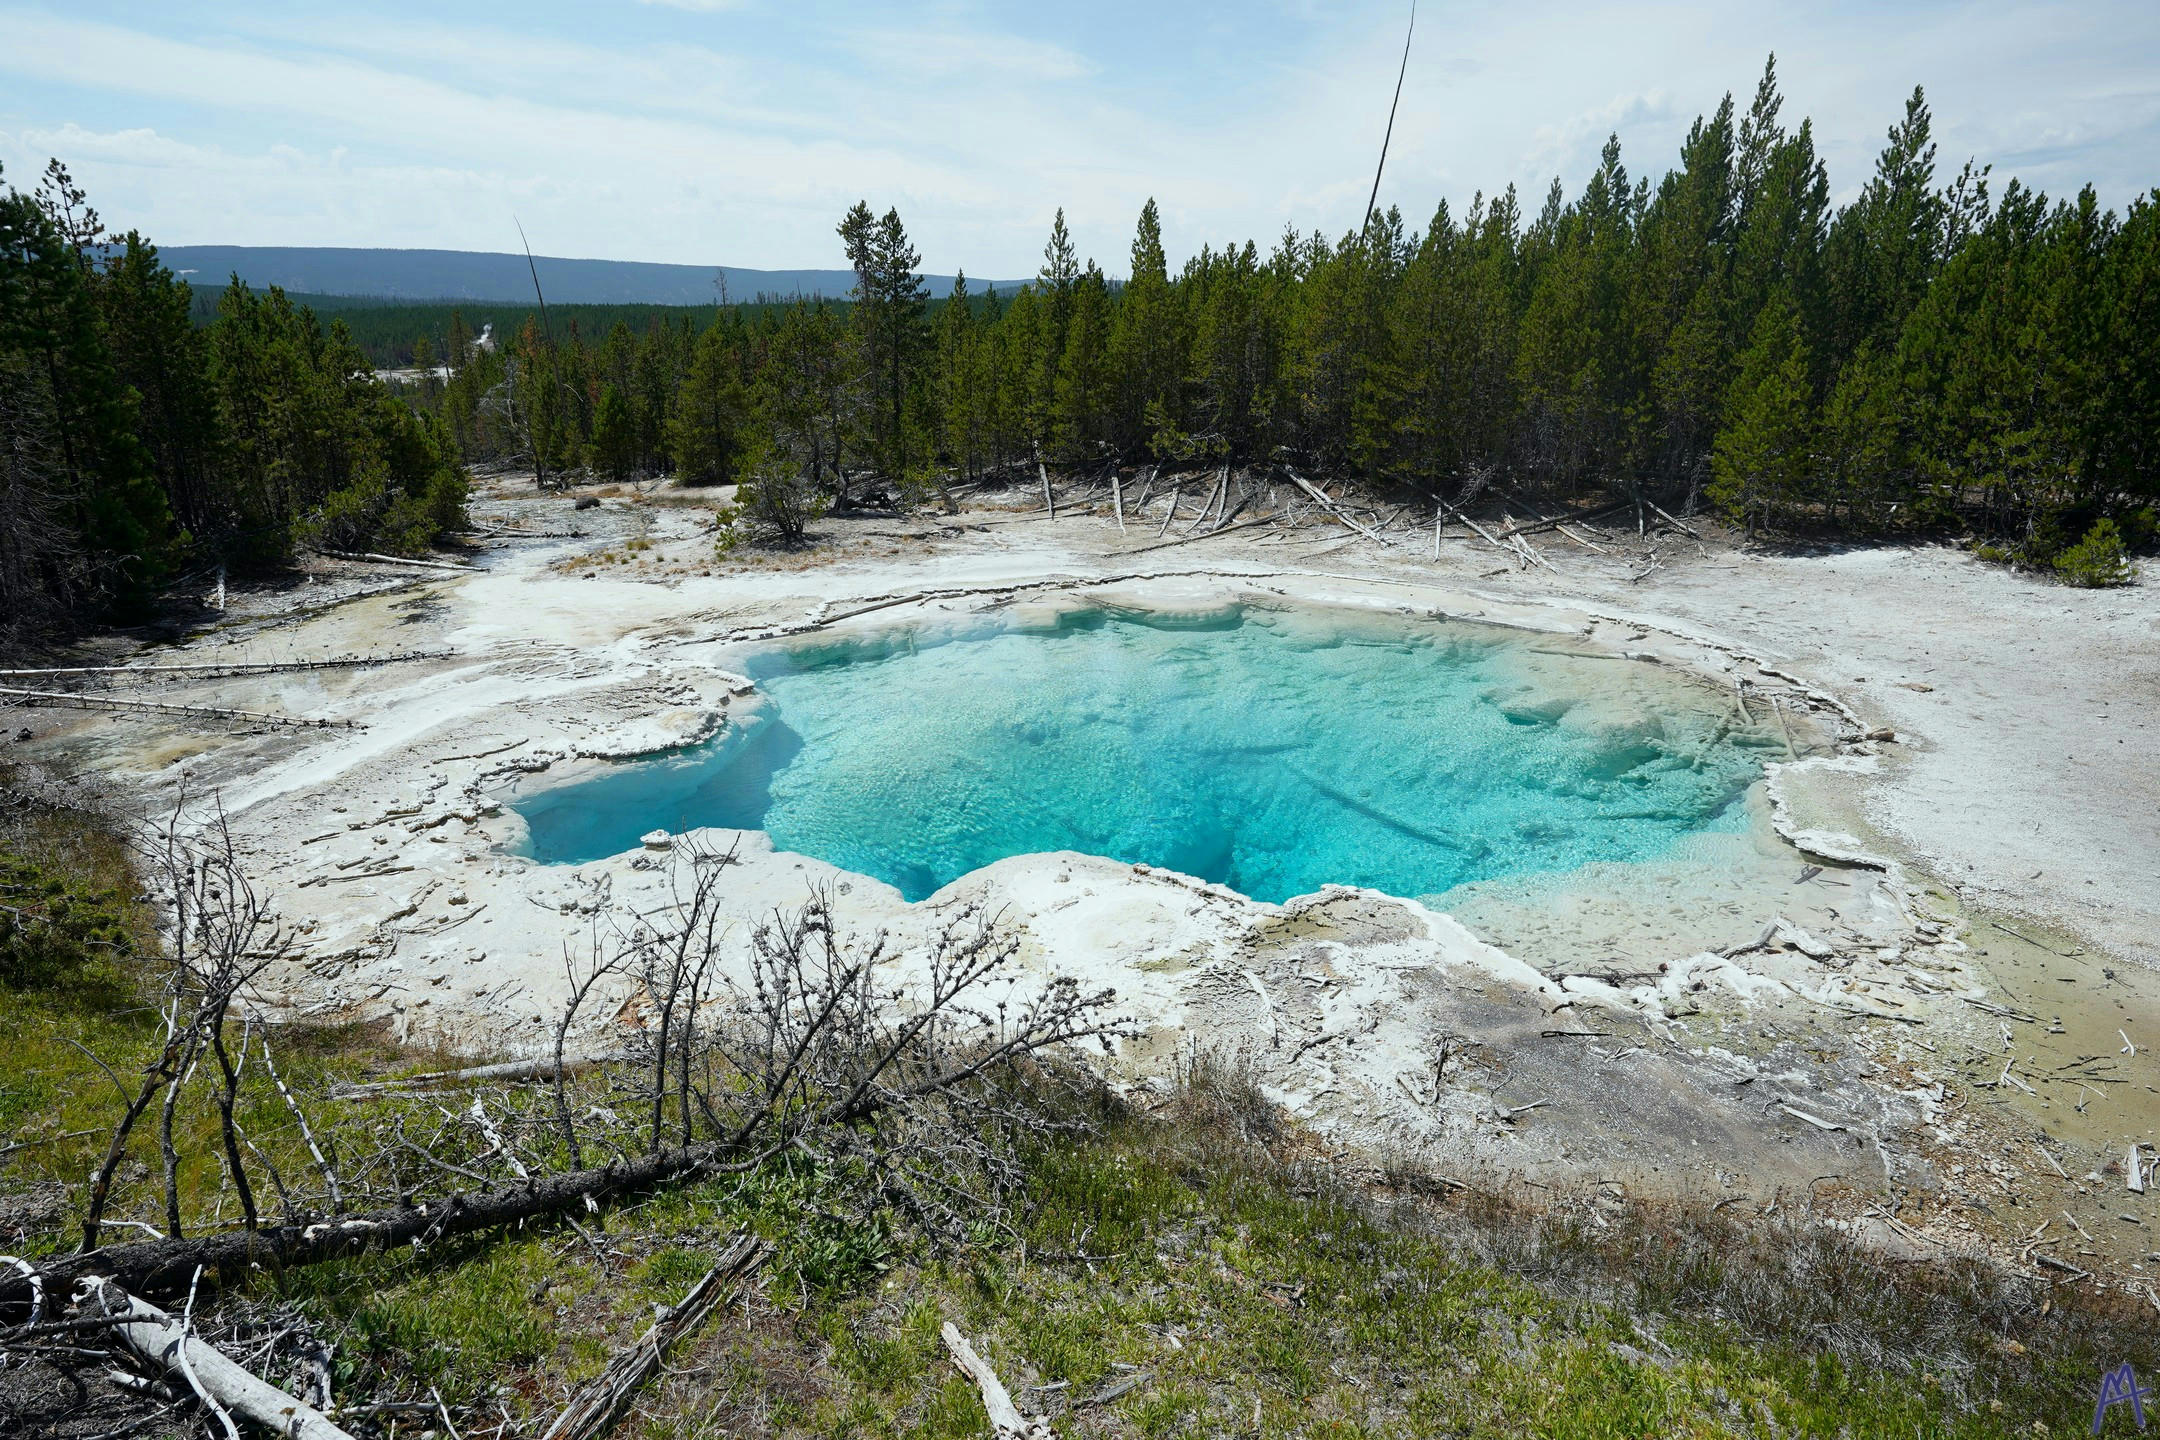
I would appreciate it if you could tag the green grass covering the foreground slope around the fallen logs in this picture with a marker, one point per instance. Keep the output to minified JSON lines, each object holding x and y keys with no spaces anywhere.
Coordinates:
{"x":1198,"y":1273}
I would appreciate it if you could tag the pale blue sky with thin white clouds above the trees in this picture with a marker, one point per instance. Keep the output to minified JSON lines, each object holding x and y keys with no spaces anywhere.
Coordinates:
{"x":740,"y":131}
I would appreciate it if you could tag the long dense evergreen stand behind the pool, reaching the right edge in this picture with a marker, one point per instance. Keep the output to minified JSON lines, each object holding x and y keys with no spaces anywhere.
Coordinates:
{"x":1923,"y":357}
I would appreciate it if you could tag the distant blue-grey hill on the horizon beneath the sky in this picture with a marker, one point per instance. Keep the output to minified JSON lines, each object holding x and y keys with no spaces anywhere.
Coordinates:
{"x":476,"y":275}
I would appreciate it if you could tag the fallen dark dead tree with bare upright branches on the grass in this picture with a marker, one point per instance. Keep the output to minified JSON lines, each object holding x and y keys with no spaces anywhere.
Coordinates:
{"x":813,"y":1052}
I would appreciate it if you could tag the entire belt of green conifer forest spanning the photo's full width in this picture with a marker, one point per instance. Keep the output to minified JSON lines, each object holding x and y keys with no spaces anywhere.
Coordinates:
{"x":1928,"y":359}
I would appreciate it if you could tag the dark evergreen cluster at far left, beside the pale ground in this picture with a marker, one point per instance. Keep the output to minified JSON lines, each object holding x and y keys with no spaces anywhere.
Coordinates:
{"x":139,"y":448}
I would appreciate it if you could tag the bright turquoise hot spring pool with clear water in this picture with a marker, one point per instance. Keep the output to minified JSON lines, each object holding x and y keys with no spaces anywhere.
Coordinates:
{"x":1269,"y":752}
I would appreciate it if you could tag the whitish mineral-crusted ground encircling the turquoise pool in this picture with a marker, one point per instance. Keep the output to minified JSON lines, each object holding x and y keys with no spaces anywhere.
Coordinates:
{"x":1898,"y":996}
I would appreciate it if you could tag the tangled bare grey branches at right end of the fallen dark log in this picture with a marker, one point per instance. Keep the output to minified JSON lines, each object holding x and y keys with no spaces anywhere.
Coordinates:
{"x":926,"y":1070}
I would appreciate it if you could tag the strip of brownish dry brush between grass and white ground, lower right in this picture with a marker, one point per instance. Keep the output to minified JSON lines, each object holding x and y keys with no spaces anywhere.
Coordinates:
{"x":1783,"y":1279}
